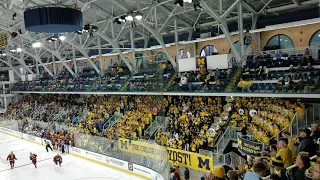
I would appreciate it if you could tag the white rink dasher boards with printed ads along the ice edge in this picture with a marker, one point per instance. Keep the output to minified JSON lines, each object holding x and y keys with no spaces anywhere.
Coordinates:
{"x":114,"y":163}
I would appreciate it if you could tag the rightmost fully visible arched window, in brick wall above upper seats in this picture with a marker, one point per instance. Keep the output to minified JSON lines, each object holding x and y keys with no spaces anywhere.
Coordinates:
{"x":280,"y":41}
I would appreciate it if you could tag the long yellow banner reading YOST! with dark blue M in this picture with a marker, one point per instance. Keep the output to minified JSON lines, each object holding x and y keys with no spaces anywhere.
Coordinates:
{"x":185,"y":158}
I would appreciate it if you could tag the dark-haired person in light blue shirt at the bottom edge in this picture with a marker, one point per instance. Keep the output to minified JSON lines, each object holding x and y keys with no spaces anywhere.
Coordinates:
{"x":259,"y":170}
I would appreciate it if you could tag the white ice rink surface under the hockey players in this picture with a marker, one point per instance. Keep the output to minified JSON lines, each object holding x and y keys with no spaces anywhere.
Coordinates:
{"x":73,"y":168}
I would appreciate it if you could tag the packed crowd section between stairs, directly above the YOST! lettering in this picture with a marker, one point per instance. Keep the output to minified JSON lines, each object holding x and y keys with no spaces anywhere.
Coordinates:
{"x":189,"y":121}
